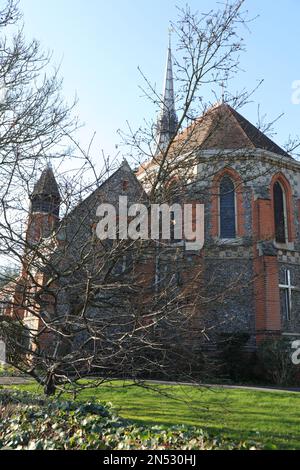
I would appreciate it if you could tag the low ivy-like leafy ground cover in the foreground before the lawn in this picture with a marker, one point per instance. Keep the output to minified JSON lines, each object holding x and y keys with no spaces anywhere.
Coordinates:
{"x":28,"y":423}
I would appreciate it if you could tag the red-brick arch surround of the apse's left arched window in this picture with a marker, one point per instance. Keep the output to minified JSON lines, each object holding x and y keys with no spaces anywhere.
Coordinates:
{"x":238,"y":184}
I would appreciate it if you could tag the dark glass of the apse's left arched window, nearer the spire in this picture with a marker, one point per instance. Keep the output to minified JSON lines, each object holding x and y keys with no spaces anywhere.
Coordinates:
{"x":227,"y":208}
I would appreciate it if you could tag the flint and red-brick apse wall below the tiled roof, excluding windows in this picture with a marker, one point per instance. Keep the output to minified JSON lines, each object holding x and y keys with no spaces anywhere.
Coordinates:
{"x":254,"y":307}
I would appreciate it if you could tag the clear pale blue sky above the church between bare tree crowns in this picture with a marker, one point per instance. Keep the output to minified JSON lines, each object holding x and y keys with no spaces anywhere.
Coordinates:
{"x":100,"y":43}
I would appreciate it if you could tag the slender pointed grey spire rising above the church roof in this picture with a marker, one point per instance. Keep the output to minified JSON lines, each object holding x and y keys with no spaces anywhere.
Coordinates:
{"x":167,"y":121}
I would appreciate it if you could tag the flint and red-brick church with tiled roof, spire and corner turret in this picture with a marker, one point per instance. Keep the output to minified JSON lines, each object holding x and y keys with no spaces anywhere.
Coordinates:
{"x":250,"y":188}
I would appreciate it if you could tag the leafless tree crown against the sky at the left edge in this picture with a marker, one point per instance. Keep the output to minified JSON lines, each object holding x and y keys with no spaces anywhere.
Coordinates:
{"x":34,"y":119}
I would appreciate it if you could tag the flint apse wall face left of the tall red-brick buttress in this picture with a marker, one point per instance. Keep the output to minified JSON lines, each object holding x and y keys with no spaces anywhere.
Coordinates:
{"x":228,"y":263}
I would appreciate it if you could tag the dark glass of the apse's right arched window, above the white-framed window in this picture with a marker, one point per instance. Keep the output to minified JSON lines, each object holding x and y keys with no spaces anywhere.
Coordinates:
{"x":280,"y":213}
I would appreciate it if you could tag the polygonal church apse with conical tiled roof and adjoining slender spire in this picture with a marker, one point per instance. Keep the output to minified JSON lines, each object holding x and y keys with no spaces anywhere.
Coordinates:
{"x":251,"y":191}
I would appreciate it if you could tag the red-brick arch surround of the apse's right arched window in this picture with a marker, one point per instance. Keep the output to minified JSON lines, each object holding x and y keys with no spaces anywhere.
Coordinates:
{"x":281,"y":178}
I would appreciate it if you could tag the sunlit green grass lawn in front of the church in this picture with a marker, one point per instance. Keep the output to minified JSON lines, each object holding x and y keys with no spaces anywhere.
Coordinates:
{"x":272,"y":418}
